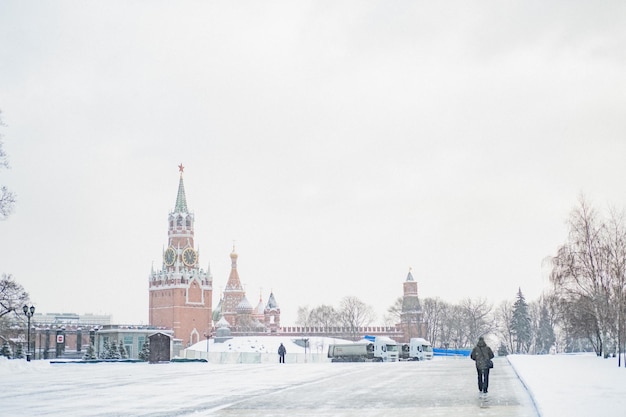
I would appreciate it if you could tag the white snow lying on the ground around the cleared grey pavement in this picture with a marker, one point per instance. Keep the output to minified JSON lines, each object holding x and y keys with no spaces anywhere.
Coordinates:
{"x":561,"y":385}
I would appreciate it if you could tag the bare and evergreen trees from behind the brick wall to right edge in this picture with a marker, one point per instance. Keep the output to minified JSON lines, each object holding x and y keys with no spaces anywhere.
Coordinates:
{"x":584,"y":308}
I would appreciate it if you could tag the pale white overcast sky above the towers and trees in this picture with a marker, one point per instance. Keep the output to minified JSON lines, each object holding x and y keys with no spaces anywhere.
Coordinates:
{"x":337,"y":143}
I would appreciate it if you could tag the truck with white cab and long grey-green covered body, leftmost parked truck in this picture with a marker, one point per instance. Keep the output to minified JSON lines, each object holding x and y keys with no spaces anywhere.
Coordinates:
{"x":370,"y":349}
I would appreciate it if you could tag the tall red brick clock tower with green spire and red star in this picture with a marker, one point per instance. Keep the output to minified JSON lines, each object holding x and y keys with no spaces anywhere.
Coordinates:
{"x":181,"y":292}
